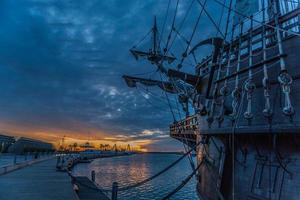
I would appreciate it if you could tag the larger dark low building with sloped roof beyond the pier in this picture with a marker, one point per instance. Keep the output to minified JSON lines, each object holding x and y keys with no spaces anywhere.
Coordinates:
{"x":23,"y":145}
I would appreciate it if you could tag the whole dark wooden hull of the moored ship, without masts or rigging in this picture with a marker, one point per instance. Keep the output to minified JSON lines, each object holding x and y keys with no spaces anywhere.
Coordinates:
{"x":256,"y":158}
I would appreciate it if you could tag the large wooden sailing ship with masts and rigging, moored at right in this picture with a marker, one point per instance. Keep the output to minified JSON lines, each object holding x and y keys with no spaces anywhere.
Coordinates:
{"x":241,"y":104}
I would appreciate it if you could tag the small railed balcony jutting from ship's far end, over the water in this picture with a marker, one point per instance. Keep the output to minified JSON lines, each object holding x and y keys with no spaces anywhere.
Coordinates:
{"x":187,"y":124}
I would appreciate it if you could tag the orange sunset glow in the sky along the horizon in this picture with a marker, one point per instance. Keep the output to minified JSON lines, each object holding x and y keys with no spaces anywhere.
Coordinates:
{"x":54,"y":136}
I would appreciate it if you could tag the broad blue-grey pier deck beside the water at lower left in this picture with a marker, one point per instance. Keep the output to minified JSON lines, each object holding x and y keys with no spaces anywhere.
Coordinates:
{"x":36,"y":182}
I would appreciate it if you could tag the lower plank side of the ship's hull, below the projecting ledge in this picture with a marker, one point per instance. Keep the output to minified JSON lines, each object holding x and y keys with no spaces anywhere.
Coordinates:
{"x":253,"y":168}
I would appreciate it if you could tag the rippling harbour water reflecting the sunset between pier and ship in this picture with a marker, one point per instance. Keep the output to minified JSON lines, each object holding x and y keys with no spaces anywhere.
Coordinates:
{"x":127,"y":170}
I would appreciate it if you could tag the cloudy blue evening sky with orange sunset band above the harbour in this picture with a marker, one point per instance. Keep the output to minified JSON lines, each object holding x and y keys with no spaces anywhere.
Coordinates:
{"x":61,"y":67}
